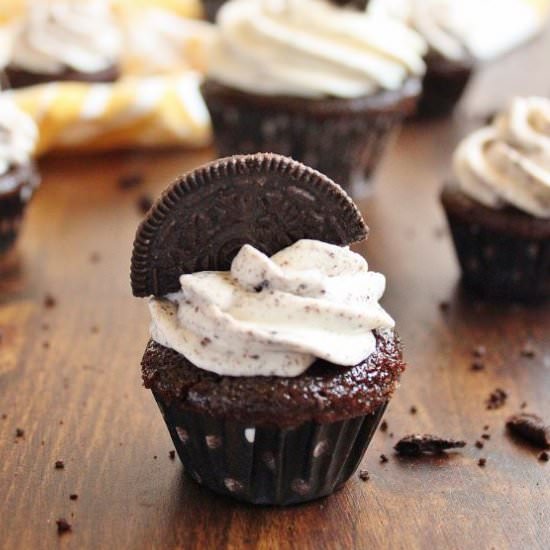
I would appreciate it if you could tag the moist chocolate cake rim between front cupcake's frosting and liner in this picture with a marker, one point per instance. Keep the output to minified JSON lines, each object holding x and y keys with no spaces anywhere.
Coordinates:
{"x":324,"y":393}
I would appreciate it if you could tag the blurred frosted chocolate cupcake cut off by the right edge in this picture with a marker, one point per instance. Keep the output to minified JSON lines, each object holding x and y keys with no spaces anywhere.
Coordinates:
{"x":499,"y":206}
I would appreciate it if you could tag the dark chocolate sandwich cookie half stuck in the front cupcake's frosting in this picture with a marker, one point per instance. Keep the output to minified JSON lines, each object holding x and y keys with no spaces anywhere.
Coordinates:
{"x":204,"y":218}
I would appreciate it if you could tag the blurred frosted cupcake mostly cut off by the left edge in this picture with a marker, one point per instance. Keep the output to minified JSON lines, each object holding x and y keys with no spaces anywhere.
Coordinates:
{"x":18,"y":176}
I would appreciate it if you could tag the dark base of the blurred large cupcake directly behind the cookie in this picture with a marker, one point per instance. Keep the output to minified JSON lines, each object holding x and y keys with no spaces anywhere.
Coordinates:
{"x":342,"y":138}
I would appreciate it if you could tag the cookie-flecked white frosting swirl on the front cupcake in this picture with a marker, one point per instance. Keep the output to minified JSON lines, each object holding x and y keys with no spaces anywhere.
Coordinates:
{"x":275,"y":316}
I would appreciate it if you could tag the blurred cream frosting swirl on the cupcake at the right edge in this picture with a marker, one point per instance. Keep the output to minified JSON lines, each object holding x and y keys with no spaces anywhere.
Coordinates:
{"x":508,"y":162}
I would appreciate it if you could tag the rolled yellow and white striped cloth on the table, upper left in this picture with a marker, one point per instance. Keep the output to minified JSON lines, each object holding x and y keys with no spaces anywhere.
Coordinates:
{"x":154,"y":111}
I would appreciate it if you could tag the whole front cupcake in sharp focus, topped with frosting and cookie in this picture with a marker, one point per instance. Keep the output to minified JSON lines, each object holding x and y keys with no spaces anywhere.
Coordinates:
{"x":270,"y":359}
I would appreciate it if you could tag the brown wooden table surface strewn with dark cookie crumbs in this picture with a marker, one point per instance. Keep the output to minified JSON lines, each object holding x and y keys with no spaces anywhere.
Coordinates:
{"x":70,"y":378}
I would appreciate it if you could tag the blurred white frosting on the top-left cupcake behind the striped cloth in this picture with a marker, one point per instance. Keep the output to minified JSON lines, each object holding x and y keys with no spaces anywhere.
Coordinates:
{"x":61,"y":34}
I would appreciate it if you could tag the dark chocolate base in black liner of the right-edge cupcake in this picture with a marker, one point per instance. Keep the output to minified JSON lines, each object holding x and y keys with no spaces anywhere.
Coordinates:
{"x":504,"y":255}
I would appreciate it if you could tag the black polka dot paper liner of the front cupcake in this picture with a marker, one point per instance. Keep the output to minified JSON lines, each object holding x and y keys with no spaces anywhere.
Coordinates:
{"x":269,"y":465}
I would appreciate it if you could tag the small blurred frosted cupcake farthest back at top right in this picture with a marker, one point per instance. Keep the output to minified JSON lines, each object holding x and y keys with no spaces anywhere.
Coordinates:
{"x":449,"y":62}
